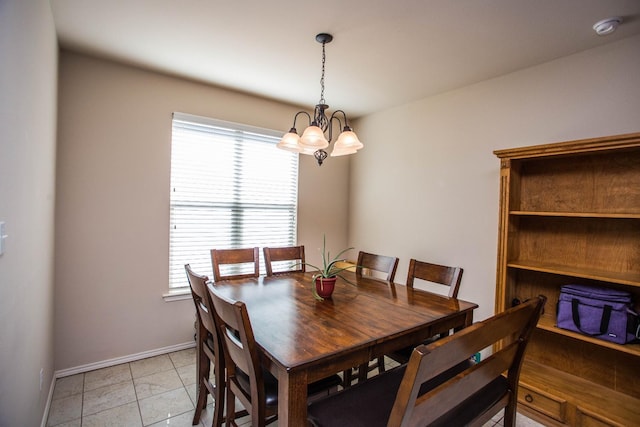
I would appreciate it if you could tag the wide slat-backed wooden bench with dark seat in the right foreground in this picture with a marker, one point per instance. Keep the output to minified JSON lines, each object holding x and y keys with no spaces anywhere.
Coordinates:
{"x":441,"y":385}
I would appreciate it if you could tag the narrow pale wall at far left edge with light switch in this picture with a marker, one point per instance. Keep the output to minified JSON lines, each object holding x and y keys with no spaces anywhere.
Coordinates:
{"x":28,"y":69}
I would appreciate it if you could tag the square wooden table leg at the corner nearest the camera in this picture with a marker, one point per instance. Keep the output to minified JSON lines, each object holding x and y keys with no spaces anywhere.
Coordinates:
{"x":292,"y":399}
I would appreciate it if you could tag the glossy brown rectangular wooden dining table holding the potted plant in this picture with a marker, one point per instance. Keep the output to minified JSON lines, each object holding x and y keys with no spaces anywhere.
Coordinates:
{"x":303,"y":339}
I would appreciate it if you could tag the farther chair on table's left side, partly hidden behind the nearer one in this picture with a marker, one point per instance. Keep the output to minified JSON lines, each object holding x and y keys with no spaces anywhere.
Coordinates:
{"x":208,"y":350}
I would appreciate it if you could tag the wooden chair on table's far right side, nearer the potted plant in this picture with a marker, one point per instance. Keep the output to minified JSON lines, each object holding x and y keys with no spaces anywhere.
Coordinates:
{"x":369,"y":264}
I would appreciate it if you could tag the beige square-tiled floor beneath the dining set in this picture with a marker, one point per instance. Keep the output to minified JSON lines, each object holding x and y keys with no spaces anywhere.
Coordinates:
{"x":157,"y":391}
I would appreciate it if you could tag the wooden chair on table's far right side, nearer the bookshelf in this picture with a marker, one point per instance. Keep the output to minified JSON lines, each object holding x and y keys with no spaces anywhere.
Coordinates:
{"x":441,"y":275}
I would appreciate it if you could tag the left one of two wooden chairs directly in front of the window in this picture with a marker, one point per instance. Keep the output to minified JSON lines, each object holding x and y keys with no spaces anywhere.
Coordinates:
{"x":235,"y":263}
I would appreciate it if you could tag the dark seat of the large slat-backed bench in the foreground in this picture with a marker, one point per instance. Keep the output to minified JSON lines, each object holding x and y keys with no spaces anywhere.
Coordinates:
{"x":367,"y":404}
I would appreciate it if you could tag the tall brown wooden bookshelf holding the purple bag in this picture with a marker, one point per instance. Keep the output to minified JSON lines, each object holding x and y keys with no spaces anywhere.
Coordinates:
{"x":570,"y":214}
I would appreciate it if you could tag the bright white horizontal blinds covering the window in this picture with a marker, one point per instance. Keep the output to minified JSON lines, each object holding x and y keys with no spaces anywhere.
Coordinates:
{"x":230,"y":188}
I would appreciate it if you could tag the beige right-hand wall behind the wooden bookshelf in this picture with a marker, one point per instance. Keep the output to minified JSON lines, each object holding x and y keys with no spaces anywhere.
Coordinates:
{"x":426,"y":184}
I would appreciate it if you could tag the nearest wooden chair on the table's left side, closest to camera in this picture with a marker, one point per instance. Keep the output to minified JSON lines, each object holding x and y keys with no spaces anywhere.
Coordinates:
{"x":245,"y":378}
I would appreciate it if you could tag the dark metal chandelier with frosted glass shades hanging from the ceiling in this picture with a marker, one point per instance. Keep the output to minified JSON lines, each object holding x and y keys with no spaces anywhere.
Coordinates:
{"x":319,"y":133}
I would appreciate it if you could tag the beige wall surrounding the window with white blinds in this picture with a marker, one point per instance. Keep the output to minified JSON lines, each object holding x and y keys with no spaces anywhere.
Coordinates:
{"x":112,"y":213}
